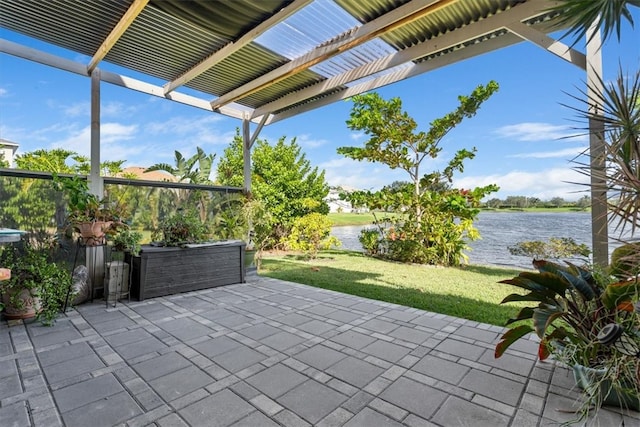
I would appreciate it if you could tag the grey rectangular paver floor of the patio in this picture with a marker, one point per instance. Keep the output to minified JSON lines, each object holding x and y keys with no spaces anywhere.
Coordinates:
{"x":273,"y":353}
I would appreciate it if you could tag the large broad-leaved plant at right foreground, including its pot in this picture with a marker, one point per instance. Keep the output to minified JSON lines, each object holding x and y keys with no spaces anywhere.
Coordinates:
{"x":572,"y":313}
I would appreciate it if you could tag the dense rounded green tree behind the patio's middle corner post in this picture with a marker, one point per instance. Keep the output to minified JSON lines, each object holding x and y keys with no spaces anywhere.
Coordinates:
{"x":282,"y":179}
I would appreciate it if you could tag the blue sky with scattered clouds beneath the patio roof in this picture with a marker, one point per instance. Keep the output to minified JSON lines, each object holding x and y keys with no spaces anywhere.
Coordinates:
{"x":516,"y":132}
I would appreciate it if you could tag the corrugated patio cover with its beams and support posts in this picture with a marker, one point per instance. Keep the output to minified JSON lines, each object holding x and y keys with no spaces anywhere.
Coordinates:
{"x":262,"y":61}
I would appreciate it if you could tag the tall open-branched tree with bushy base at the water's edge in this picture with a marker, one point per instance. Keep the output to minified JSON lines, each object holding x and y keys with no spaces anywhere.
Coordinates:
{"x":434,"y":219}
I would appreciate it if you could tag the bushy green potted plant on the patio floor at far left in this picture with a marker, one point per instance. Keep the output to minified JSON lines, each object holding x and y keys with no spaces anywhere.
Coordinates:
{"x":37,"y":286}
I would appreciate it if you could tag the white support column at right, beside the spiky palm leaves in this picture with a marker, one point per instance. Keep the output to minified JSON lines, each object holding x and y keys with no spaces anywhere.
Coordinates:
{"x":597,"y":151}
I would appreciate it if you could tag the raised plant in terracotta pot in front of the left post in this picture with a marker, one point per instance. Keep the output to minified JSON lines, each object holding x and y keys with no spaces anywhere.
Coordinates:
{"x":89,"y":215}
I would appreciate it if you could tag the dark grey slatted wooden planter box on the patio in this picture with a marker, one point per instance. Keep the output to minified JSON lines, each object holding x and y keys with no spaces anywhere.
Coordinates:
{"x":162,"y":271}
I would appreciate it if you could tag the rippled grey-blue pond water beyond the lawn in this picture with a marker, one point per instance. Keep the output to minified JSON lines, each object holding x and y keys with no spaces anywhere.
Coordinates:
{"x":499,"y":230}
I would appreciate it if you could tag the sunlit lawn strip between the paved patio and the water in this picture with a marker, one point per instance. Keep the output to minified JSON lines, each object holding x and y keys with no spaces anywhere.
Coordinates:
{"x":469,"y":292}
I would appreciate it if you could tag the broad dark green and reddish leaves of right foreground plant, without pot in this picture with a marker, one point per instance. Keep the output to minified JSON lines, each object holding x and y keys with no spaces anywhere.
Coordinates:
{"x":570,"y":307}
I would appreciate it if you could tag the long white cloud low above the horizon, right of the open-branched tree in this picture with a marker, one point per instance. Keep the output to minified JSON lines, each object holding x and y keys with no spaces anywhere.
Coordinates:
{"x":545,"y":184}
